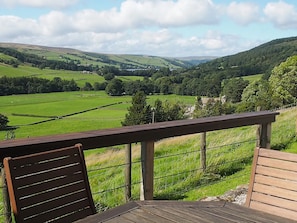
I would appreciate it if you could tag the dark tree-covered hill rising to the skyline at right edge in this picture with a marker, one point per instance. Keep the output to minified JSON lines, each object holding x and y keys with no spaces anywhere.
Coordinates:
{"x":259,"y":60}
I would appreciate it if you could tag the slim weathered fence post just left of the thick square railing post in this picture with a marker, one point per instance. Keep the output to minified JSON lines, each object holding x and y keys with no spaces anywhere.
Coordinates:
{"x":128,"y":171}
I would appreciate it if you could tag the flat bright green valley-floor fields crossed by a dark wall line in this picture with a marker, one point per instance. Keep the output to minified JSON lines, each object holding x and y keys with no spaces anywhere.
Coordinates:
{"x":61,"y":104}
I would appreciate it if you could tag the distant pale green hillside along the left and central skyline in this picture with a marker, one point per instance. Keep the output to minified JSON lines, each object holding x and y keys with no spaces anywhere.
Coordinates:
{"x":86,"y":58}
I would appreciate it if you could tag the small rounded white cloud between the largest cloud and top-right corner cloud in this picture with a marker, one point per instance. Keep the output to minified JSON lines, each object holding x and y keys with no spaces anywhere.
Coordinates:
{"x":243,"y":13}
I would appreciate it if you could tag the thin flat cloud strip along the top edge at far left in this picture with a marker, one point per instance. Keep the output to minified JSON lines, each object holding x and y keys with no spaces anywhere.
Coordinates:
{"x":54,"y":4}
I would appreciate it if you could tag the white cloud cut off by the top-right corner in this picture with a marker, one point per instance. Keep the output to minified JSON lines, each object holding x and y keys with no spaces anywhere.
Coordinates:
{"x":281,"y":14}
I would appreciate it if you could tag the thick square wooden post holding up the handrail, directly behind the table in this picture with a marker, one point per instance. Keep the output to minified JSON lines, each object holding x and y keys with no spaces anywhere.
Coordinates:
{"x":147,"y":170}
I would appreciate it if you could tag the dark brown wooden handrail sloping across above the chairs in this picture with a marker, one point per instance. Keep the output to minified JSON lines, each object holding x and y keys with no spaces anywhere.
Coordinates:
{"x":131,"y":134}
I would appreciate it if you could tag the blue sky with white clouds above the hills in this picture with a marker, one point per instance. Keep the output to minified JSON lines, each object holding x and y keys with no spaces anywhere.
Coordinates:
{"x":171,"y":28}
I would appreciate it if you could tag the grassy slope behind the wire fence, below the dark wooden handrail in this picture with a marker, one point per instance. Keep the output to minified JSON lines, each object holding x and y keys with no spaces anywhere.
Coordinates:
{"x":228,"y":166}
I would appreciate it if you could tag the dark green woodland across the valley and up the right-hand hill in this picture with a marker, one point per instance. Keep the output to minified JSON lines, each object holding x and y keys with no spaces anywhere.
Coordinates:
{"x":221,"y":77}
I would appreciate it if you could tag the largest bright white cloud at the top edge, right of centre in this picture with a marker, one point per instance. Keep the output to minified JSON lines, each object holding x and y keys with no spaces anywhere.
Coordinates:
{"x":170,"y":13}
